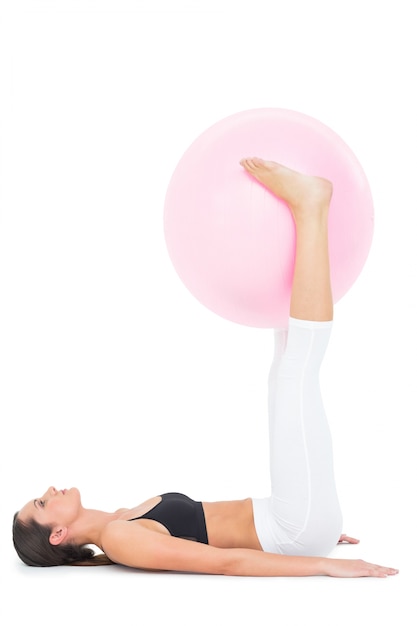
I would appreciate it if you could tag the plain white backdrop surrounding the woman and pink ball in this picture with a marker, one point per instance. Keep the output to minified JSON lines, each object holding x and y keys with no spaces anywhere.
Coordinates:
{"x":113,"y":377}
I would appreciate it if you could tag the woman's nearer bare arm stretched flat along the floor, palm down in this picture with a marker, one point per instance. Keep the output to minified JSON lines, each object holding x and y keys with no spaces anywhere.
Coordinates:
{"x":135,"y":546}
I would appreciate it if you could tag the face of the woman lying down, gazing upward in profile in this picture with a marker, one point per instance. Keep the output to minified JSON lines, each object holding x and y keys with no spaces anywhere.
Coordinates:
{"x":54,"y":508}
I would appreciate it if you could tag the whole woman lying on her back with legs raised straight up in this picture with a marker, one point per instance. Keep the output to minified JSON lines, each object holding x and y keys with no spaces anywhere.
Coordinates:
{"x":290,"y":533}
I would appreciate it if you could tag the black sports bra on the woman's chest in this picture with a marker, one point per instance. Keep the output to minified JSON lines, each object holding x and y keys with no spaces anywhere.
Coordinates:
{"x":181,"y":516}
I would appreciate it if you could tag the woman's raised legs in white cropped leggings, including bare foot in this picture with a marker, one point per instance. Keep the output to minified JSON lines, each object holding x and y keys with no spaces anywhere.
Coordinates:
{"x":302,"y":516}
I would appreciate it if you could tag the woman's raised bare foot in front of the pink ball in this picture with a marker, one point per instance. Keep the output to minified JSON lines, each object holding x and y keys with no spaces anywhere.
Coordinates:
{"x":300,"y":191}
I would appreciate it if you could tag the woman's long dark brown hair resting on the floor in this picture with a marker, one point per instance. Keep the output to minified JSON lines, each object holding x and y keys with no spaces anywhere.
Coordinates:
{"x":31,"y":542}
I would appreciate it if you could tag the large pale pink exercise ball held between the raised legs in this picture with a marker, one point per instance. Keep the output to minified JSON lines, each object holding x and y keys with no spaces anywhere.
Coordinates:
{"x":232,"y":242}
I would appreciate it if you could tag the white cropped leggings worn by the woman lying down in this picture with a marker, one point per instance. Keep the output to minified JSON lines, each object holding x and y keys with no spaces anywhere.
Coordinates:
{"x":302,"y":516}
